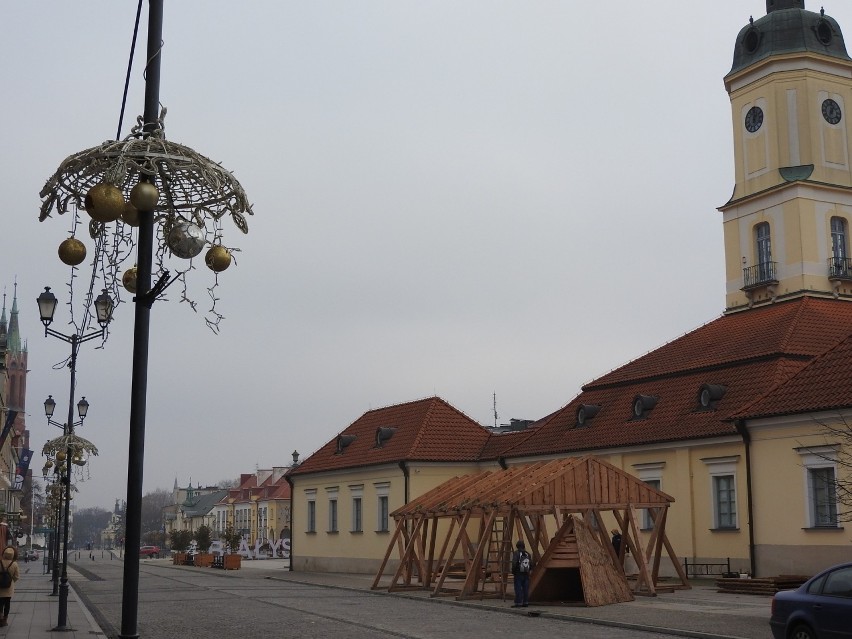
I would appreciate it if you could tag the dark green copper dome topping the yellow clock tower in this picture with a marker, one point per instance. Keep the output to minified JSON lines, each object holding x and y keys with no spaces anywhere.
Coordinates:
{"x":788,"y":28}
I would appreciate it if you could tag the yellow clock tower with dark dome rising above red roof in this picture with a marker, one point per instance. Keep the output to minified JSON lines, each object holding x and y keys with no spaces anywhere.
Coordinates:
{"x":787,"y":224}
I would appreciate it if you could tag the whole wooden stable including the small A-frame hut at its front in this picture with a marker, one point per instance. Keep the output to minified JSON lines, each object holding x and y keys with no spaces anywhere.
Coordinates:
{"x":458,"y":538}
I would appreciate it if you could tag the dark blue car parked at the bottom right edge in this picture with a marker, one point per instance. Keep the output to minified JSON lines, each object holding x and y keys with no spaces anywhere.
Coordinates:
{"x":821,"y":608}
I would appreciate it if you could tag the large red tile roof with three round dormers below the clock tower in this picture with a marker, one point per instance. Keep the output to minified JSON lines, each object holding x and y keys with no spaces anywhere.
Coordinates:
{"x":749,"y":353}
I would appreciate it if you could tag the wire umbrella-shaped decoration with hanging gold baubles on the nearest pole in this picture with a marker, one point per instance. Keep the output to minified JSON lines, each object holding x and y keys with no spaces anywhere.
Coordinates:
{"x":195,"y":195}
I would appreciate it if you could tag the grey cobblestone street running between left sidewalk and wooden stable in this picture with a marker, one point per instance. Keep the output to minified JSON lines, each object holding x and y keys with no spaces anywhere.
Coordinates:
{"x":189,"y":602}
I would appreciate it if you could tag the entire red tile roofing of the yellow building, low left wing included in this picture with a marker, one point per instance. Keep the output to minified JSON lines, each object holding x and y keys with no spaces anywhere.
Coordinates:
{"x":789,"y":357}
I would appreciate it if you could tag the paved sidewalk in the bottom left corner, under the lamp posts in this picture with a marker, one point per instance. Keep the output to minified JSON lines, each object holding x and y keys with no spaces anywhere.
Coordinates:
{"x":34,"y":613}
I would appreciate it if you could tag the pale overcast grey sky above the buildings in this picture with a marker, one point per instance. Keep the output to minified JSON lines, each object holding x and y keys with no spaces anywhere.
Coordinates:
{"x":452,"y":198}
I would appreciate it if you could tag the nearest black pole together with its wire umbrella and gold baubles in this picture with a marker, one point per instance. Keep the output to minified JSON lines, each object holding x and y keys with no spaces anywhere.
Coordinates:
{"x":172,"y":189}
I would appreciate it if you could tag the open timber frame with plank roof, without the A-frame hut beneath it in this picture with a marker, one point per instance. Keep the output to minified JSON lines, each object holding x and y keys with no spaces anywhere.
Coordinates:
{"x":518,"y":502}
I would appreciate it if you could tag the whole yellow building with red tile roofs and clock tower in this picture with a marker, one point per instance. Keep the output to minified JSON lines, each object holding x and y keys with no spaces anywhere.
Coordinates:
{"x":733,"y":420}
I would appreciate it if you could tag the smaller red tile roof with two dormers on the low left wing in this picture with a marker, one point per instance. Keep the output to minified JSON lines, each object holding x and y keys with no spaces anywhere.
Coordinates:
{"x":426,"y":430}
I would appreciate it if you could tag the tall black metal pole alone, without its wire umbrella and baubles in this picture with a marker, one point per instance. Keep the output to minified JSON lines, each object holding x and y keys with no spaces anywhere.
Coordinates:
{"x":141,"y":331}
